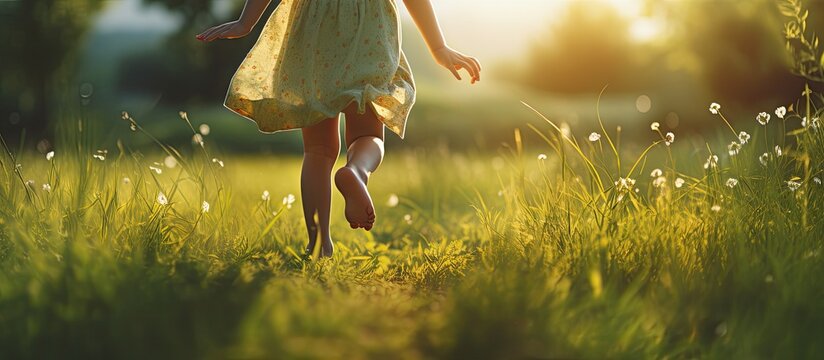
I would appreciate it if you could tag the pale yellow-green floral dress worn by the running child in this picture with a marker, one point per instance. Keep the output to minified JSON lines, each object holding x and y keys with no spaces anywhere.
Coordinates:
{"x":315,"y":57}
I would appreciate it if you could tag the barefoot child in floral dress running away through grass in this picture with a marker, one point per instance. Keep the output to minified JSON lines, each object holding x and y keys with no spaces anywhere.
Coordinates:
{"x":317,"y":58}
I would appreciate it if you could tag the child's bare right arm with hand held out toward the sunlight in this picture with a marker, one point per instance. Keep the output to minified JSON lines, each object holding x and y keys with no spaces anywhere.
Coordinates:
{"x":424,"y":17}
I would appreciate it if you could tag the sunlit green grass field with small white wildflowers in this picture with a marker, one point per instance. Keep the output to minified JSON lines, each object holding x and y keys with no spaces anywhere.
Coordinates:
{"x":550,"y":252}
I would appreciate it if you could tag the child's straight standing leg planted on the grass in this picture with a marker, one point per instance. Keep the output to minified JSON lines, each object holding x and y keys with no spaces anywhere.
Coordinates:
{"x":321,"y":147}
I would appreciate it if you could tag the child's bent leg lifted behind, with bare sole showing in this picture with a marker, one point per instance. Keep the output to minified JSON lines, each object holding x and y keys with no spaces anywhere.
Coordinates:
{"x":364,"y":152}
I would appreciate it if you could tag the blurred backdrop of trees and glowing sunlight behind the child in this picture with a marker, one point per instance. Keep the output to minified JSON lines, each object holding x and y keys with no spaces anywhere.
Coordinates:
{"x":663,"y":61}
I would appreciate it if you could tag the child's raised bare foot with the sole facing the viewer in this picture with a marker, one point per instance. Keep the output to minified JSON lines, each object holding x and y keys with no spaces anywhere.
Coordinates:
{"x":359,"y":209}
